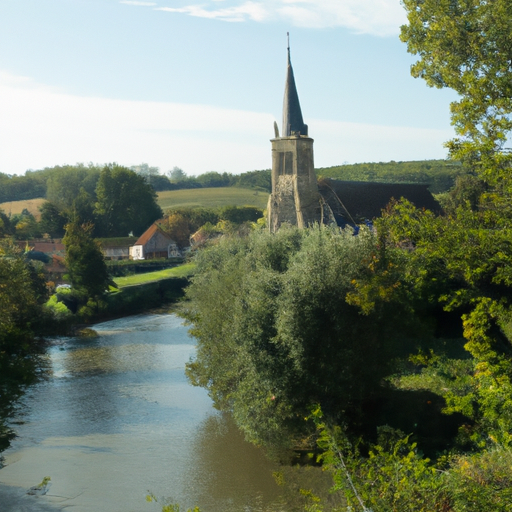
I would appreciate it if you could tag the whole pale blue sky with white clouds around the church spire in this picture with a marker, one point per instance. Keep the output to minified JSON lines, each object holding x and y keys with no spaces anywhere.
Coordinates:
{"x":197,"y":84}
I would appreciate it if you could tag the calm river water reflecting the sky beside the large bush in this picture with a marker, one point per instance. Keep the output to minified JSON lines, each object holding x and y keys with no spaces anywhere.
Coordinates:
{"x":116,"y":419}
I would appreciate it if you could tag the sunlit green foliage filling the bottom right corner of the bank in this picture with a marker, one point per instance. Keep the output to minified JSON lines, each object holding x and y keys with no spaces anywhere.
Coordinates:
{"x":395,"y":477}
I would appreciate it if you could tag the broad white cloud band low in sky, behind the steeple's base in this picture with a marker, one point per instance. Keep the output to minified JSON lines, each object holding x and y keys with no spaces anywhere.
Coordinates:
{"x":41,"y":126}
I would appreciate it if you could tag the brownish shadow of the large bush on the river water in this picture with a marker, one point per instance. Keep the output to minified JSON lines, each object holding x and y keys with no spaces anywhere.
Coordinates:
{"x":231,"y":474}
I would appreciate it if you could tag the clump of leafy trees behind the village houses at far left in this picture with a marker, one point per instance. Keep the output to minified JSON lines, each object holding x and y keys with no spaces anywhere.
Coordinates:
{"x":115,"y":200}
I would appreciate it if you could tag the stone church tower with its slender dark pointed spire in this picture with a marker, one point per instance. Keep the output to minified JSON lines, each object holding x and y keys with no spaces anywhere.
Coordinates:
{"x":295,"y":199}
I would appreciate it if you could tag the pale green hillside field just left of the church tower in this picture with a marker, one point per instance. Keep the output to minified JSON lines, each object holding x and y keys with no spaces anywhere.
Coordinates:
{"x":212,"y":198}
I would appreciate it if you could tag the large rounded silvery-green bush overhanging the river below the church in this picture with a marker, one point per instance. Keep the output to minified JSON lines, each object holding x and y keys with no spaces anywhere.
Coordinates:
{"x":269,"y":312}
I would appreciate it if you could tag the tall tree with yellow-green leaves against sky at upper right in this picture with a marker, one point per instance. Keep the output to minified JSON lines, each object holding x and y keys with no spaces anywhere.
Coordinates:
{"x":465,"y":45}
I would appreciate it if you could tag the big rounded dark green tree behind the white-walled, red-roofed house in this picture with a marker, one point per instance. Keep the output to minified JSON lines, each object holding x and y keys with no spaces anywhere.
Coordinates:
{"x":126,"y":203}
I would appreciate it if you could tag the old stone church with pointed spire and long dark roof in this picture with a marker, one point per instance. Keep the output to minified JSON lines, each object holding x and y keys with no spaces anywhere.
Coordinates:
{"x":298,"y":199}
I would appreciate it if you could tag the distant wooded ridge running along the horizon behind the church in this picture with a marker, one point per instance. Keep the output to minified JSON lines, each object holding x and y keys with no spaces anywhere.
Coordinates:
{"x":439,"y":174}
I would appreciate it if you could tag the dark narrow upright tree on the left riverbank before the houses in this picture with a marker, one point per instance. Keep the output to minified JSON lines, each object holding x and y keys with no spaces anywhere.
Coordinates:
{"x":86,"y":266}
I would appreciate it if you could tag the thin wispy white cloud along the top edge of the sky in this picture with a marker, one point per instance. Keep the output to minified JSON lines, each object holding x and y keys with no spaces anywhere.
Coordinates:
{"x":376,"y":17}
